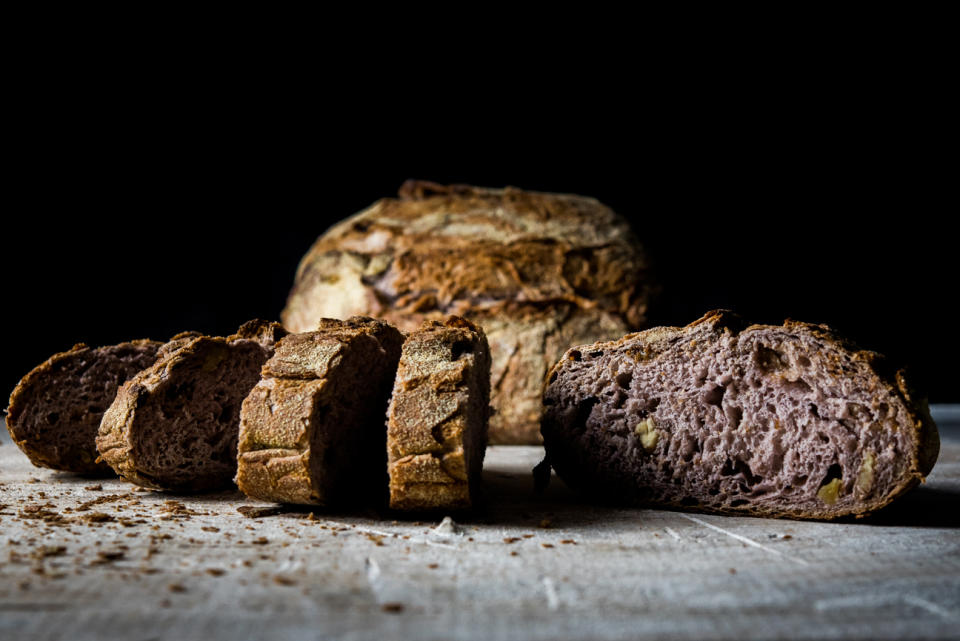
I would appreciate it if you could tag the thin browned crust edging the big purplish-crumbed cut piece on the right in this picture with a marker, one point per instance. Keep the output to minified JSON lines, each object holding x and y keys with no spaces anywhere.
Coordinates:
{"x":650,"y":344}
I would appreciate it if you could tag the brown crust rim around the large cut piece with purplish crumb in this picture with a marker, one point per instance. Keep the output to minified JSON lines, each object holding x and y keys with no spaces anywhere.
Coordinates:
{"x":887,"y":382}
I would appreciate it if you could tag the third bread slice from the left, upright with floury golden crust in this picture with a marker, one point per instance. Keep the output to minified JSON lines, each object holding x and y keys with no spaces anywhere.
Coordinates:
{"x":312,"y":431}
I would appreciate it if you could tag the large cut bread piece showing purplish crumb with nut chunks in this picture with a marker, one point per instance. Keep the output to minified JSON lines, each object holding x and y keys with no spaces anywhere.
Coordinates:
{"x":783,"y":421}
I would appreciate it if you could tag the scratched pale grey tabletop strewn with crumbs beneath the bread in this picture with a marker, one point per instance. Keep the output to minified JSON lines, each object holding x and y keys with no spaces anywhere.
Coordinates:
{"x":98,"y":559}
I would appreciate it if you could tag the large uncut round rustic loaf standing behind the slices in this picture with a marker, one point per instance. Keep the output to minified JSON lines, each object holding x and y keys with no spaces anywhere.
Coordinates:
{"x":539,"y":272}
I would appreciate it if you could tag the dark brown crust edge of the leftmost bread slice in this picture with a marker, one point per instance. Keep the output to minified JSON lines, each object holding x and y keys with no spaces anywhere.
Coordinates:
{"x":80,"y":458}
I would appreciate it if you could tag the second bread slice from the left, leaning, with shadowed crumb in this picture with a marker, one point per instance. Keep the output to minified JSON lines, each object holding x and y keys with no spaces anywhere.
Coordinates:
{"x":174,"y":425}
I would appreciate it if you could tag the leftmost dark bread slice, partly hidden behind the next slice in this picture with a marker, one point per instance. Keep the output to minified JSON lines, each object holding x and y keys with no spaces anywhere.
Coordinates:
{"x":55,"y":410}
